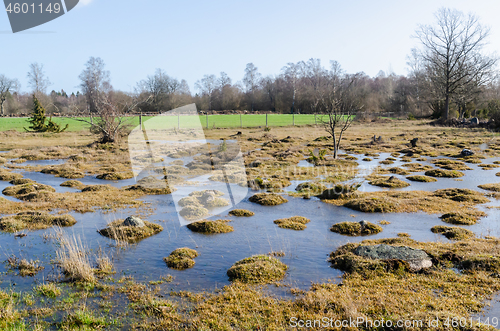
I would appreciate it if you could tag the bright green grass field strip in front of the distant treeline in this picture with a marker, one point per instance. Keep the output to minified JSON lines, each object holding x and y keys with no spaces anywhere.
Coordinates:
{"x":217,"y":121}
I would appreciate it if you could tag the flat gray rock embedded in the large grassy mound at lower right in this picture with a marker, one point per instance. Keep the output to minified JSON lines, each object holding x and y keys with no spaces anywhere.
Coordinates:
{"x":416,"y":258}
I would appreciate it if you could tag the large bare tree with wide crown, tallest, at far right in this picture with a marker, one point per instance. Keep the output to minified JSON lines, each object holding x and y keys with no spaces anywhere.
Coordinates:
{"x":452,"y":54}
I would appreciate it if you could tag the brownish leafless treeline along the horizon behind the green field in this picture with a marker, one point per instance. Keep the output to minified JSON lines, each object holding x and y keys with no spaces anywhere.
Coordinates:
{"x":301,"y":88}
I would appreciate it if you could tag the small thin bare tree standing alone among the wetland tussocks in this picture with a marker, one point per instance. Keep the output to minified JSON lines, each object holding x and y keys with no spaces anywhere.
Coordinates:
{"x":341,"y":102}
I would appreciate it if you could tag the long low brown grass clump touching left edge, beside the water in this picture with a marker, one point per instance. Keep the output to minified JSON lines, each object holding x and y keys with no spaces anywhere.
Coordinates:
{"x":34,"y":220}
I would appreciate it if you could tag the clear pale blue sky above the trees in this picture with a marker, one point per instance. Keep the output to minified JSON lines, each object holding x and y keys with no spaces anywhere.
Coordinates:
{"x":189,"y":39}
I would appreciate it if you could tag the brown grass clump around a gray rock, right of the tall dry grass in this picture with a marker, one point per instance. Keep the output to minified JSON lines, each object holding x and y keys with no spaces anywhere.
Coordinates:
{"x":116,"y":230}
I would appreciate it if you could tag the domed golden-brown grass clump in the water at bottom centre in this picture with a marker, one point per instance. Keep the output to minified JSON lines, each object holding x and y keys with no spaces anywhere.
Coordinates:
{"x":258,"y":269}
